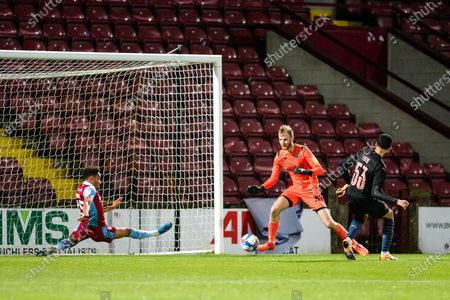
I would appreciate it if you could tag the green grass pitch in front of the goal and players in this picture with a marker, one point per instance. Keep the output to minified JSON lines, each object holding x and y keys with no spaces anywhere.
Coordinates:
{"x":207,"y":276}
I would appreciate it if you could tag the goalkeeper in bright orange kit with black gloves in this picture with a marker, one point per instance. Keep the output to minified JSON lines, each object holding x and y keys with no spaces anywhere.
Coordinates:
{"x":303,"y":168}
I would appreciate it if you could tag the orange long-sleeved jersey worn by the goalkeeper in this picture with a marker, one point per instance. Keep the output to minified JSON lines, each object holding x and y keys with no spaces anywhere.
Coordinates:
{"x":300,"y":157}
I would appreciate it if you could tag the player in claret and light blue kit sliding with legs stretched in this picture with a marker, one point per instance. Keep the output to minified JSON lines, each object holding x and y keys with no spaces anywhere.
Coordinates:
{"x":92,"y":221}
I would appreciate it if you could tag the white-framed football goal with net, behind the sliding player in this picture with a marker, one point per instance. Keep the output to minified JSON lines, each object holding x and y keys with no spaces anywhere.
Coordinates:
{"x":151,"y":122}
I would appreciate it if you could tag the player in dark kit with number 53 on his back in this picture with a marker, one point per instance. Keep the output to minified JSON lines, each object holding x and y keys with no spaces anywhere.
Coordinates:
{"x":366,"y":196}
